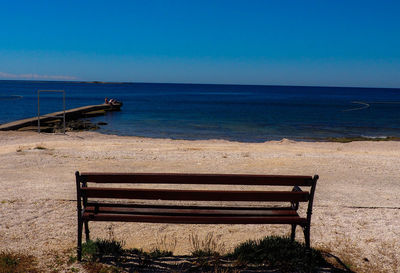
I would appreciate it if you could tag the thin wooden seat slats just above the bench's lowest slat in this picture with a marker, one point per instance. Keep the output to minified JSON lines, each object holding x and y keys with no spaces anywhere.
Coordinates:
{"x":190,"y":211}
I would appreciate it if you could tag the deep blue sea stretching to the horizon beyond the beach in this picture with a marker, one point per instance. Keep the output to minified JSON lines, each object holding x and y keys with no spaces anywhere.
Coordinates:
{"x":246,"y":113}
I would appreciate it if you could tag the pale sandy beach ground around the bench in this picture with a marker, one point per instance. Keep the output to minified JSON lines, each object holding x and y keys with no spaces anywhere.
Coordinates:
{"x":356,"y":210}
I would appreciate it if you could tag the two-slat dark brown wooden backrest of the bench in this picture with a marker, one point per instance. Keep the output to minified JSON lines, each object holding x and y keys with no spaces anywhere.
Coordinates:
{"x":296,"y":195}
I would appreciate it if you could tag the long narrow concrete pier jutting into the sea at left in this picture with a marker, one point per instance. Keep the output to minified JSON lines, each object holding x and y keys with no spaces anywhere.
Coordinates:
{"x":71,"y":114}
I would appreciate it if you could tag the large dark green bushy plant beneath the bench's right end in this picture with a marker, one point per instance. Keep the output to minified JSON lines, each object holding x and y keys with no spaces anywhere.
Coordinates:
{"x":278,"y":252}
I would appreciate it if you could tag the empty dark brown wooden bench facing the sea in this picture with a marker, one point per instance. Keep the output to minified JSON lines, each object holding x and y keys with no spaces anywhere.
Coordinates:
{"x":97,"y":202}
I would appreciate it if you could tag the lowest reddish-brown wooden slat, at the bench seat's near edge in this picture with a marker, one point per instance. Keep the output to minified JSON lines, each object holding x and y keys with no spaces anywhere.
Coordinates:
{"x":194,"y":219}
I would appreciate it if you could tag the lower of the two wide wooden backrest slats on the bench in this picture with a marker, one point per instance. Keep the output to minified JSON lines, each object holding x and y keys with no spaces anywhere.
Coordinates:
{"x":194,"y":195}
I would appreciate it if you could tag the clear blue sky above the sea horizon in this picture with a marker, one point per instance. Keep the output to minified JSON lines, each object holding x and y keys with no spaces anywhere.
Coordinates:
{"x":331,"y":43}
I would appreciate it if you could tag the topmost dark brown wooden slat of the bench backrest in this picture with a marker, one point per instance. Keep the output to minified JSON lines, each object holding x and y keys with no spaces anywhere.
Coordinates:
{"x":178,"y":178}
